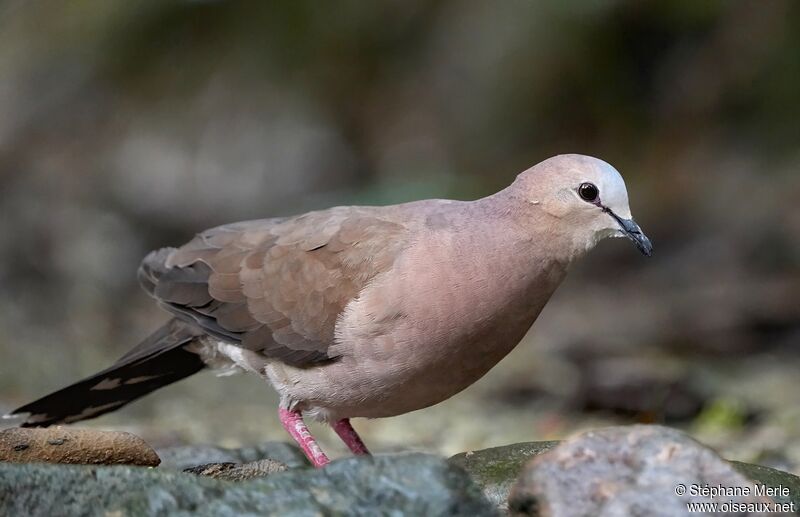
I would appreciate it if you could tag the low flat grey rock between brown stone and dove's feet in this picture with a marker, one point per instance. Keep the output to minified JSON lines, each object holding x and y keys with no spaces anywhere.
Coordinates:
{"x":186,"y":456}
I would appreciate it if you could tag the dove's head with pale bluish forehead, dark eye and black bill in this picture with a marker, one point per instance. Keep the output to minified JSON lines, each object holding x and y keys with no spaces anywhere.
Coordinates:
{"x":586,"y":199}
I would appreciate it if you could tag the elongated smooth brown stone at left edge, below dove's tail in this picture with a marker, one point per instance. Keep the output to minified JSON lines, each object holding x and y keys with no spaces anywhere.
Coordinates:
{"x":76,"y":446}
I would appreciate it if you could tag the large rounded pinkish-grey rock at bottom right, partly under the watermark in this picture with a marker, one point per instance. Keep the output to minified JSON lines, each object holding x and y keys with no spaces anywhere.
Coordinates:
{"x":623,"y":471}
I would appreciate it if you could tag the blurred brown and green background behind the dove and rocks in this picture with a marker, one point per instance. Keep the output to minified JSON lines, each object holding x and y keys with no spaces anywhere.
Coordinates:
{"x":128,"y":126}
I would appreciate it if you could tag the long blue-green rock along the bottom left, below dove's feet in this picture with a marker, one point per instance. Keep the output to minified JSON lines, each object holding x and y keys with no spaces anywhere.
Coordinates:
{"x":413,"y":484}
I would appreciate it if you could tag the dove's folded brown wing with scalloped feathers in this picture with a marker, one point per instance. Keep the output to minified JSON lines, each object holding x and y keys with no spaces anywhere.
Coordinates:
{"x":276,"y":286}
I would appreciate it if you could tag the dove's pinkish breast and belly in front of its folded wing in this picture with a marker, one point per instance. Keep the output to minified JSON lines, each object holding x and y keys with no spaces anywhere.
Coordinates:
{"x":434,"y":325}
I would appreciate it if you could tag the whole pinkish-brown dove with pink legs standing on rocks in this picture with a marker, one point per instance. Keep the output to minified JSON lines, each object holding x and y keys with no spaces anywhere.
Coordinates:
{"x":362,"y":311}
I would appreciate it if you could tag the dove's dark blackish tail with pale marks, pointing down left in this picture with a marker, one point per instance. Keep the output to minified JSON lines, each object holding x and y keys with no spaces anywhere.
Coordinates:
{"x":159,"y":360}
